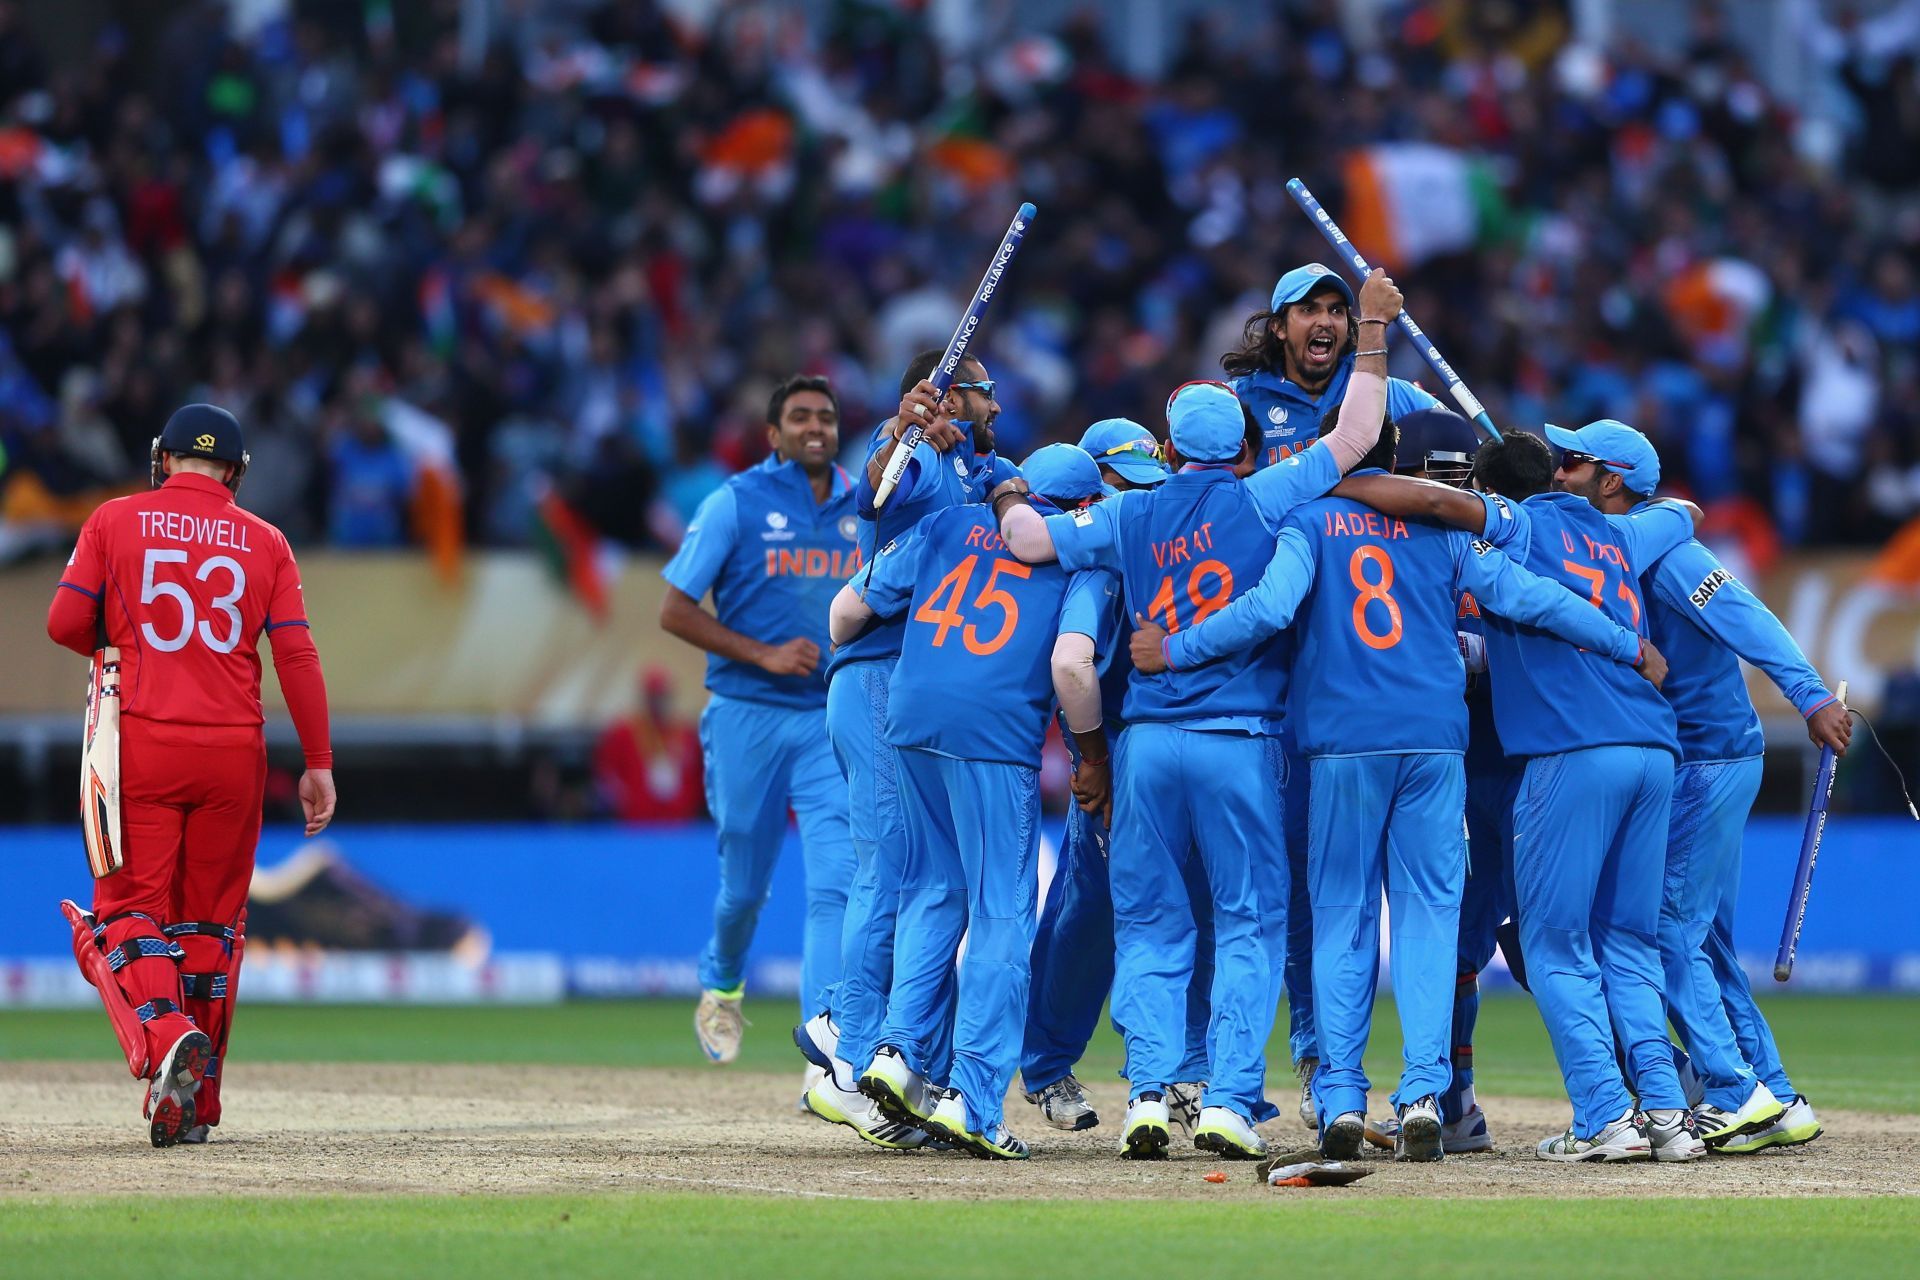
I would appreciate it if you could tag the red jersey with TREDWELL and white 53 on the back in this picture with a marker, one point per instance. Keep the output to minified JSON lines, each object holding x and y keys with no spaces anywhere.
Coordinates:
{"x":187,"y":582}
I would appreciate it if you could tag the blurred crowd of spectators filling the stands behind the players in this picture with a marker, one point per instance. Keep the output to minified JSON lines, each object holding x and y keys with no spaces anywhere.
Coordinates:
{"x":565,"y":258}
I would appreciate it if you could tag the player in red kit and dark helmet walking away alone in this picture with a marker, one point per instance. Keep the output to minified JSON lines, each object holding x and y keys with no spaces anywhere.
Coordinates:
{"x":185,"y":584}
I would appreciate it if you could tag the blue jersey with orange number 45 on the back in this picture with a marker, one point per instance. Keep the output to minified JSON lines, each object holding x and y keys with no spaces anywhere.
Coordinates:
{"x":976,"y":676}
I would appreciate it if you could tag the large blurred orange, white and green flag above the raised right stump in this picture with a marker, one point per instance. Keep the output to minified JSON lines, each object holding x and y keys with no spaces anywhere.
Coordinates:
{"x":1416,"y":201}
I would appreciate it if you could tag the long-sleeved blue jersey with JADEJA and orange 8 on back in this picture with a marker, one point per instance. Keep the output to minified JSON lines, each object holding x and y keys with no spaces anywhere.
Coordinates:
{"x":1374,"y":604}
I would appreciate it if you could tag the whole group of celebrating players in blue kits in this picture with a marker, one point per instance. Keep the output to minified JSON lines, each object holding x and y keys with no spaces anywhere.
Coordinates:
{"x":1314,"y":648}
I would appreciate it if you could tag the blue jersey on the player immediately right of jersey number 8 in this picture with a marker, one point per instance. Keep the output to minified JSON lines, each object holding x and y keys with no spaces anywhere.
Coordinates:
{"x":1552,"y":698}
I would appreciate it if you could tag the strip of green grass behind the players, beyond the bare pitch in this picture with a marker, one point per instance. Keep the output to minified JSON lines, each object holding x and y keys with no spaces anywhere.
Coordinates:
{"x":1842,"y":1051}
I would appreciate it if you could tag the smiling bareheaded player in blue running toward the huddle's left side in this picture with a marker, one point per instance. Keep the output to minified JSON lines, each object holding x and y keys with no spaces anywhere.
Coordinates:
{"x":773,"y":544}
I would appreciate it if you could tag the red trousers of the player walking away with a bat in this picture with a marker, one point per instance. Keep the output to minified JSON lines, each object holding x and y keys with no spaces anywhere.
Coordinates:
{"x":191,"y":805}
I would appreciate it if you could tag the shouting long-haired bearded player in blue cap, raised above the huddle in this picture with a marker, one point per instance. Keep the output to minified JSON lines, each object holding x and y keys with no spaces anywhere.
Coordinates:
{"x":1293,"y":364}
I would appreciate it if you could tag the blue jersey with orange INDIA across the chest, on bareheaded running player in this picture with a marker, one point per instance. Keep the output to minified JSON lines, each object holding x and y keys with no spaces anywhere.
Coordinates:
{"x":775,"y":561}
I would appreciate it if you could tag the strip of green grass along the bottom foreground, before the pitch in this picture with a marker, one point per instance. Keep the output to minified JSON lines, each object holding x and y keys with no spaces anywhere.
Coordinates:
{"x":669,"y":1235}
